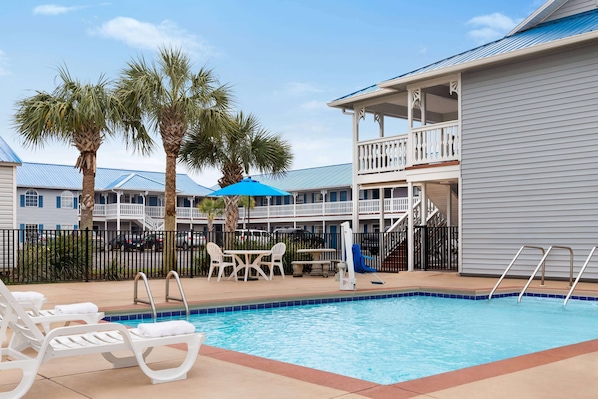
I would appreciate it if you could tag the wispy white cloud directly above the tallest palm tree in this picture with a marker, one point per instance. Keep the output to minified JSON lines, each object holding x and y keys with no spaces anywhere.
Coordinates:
{"x":145,"y":35}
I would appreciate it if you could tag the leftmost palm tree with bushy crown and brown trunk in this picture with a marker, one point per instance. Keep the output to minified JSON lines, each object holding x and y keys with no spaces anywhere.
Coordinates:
{"x":81,"y":115}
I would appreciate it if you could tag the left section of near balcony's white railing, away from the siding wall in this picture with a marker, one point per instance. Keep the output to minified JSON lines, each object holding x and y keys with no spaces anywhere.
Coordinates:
{"x":386,"y":154}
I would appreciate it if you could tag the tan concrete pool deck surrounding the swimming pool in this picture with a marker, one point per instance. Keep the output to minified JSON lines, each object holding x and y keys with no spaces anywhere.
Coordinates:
{"x":566,"y":372}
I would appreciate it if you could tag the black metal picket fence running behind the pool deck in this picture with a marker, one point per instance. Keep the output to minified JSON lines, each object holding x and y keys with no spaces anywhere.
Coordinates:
{"x":28,"y":256}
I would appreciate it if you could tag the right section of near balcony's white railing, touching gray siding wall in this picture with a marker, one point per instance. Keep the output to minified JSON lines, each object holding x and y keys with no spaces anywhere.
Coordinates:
{"x":436,"y":143}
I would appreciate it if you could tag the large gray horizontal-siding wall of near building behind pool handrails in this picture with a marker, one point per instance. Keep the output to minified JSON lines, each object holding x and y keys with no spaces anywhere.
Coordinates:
{"x":529,"y":162}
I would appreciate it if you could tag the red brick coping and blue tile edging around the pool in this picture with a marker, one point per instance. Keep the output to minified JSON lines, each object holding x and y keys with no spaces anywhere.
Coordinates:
{"x":401,"y":390}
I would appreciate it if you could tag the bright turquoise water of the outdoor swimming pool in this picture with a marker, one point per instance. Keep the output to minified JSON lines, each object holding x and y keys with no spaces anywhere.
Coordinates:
{"x":399,"y":339}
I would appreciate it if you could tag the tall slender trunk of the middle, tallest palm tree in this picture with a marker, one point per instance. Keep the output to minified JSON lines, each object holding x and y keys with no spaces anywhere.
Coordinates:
{"x":170,"y":214}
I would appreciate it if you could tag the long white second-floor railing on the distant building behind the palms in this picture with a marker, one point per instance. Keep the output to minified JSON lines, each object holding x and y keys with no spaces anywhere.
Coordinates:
{"x":139,"y":212}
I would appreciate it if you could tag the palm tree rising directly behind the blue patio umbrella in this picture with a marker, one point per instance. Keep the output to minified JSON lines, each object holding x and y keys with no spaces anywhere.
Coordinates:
{"x":240,"y":145}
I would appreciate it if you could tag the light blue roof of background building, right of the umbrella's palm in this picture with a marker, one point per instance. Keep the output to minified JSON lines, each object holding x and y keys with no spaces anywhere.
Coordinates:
{"x":322,"y":177}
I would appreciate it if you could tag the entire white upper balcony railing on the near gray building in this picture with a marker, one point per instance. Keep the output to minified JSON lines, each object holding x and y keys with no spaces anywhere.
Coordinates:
{"x":428,"y":144}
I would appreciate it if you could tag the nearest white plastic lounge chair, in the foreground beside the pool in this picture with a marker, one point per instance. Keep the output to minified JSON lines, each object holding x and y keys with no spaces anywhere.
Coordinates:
{"x":85,"y":339}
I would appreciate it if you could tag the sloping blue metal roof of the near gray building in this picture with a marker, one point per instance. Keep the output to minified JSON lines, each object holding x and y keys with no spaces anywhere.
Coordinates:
{"x":540,"y":34}
